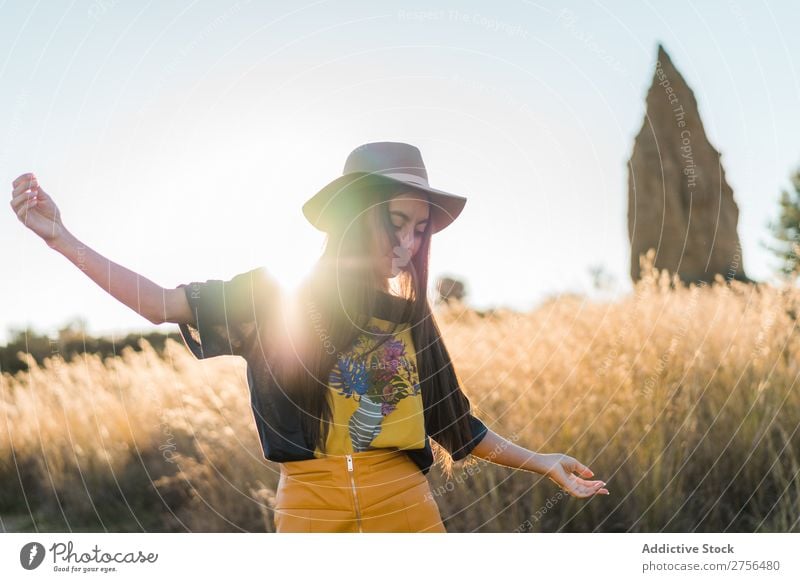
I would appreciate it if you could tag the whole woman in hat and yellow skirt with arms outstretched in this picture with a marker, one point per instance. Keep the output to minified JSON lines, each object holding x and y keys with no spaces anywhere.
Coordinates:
{"x":349,"y":378}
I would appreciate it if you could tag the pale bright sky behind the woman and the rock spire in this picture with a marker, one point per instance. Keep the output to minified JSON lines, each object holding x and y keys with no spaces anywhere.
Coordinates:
{"x":177,"y":137}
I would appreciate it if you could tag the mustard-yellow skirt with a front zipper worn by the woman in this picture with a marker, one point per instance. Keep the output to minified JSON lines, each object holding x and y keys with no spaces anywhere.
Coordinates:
{"x":379,"y":490}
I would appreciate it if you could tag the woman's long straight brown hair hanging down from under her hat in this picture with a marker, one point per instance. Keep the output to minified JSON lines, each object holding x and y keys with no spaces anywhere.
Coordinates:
{"x":332,"y":307}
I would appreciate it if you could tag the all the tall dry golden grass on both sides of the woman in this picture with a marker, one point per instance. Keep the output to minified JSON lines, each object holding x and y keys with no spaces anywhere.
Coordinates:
{"x":683,"y":400}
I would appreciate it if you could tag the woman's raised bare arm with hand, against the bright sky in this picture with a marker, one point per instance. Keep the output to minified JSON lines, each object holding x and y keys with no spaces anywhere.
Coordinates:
{"x":39,"y":213}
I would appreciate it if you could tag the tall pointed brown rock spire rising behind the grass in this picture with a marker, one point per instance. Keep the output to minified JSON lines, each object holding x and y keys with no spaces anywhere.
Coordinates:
{"x":679,"y":202}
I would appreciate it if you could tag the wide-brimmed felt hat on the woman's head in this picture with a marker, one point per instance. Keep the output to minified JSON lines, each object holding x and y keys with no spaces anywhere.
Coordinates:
{"x":372,"y":164}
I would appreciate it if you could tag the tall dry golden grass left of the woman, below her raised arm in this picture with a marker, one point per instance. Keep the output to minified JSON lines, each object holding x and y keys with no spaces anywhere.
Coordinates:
{"x":135,"y":443}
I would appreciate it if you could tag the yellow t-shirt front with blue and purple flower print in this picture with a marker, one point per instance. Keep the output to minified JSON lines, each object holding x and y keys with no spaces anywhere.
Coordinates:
{"x":376,"y":399}
